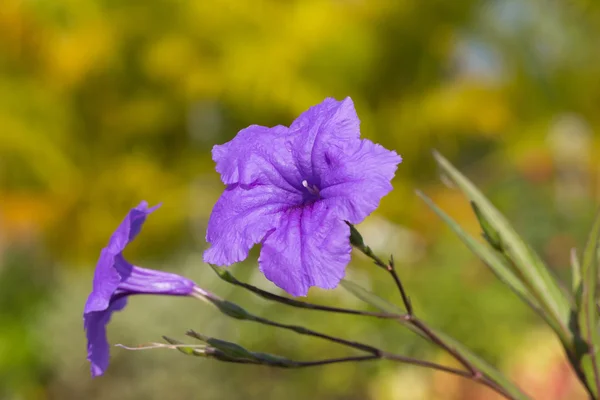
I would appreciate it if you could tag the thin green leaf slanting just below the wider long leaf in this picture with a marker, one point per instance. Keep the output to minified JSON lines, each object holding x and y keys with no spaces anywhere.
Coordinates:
{"x":494,"y":260}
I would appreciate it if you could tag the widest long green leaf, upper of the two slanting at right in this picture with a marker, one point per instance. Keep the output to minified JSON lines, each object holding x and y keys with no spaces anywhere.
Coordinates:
{"x":532,"y":271}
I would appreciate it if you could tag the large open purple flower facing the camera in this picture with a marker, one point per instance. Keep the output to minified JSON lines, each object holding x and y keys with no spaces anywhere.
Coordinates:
{"x":291,"y":189}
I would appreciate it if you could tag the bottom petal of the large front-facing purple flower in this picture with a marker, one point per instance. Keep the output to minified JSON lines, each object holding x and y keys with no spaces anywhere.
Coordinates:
{"x":310,"y":247}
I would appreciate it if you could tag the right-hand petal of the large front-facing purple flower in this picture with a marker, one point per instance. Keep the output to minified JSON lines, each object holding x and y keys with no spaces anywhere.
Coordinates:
{"x":358,"y":182}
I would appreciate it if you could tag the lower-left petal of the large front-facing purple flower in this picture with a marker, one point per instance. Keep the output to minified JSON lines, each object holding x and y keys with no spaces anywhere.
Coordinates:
{"x":242,"y":217}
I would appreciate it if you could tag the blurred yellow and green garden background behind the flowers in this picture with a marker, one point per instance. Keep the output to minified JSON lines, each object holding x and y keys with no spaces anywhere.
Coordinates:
{"x":104,"y":103}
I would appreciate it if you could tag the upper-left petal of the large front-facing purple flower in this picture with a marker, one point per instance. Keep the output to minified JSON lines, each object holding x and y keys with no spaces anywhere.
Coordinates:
{"x":258,"y":154}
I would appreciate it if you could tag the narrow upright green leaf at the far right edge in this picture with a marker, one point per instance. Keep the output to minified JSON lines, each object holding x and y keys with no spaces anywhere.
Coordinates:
{"x":587,"y":314}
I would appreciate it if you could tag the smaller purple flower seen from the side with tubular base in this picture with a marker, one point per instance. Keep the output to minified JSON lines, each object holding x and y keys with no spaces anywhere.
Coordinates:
{"x":115,"y":279}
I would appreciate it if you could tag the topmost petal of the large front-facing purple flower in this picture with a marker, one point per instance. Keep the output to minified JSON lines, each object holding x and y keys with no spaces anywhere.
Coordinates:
{"x":329,"y":127}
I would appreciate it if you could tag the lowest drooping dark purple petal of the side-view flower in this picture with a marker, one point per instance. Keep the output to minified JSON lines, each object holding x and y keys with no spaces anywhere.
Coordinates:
{"x":95,"y":327}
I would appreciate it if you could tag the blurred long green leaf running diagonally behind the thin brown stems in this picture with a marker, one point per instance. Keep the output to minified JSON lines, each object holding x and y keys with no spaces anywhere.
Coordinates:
{"x":383,"y":305}
